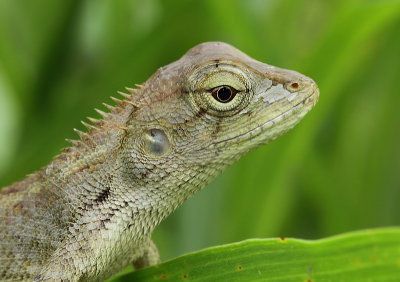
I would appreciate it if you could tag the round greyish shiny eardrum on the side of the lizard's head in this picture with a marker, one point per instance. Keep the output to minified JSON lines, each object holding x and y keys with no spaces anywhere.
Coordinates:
{"x":156,"y":142}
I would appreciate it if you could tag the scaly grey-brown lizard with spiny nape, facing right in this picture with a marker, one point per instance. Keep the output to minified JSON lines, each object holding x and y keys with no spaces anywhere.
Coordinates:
{"x":90,"y":212}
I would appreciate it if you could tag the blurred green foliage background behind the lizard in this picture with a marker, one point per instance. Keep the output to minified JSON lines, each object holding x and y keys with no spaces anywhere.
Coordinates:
{"x":337,"y":171}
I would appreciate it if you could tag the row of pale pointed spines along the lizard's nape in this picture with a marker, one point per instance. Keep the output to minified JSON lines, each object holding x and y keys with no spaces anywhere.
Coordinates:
{"x":97,"y":124}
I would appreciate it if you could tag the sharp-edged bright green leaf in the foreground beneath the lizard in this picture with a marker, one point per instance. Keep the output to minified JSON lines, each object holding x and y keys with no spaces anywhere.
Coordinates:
{"x":371,"y":255}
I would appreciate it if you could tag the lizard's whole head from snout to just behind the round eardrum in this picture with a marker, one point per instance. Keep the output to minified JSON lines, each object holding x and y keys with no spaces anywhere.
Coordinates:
{"x":197,"y":115}
